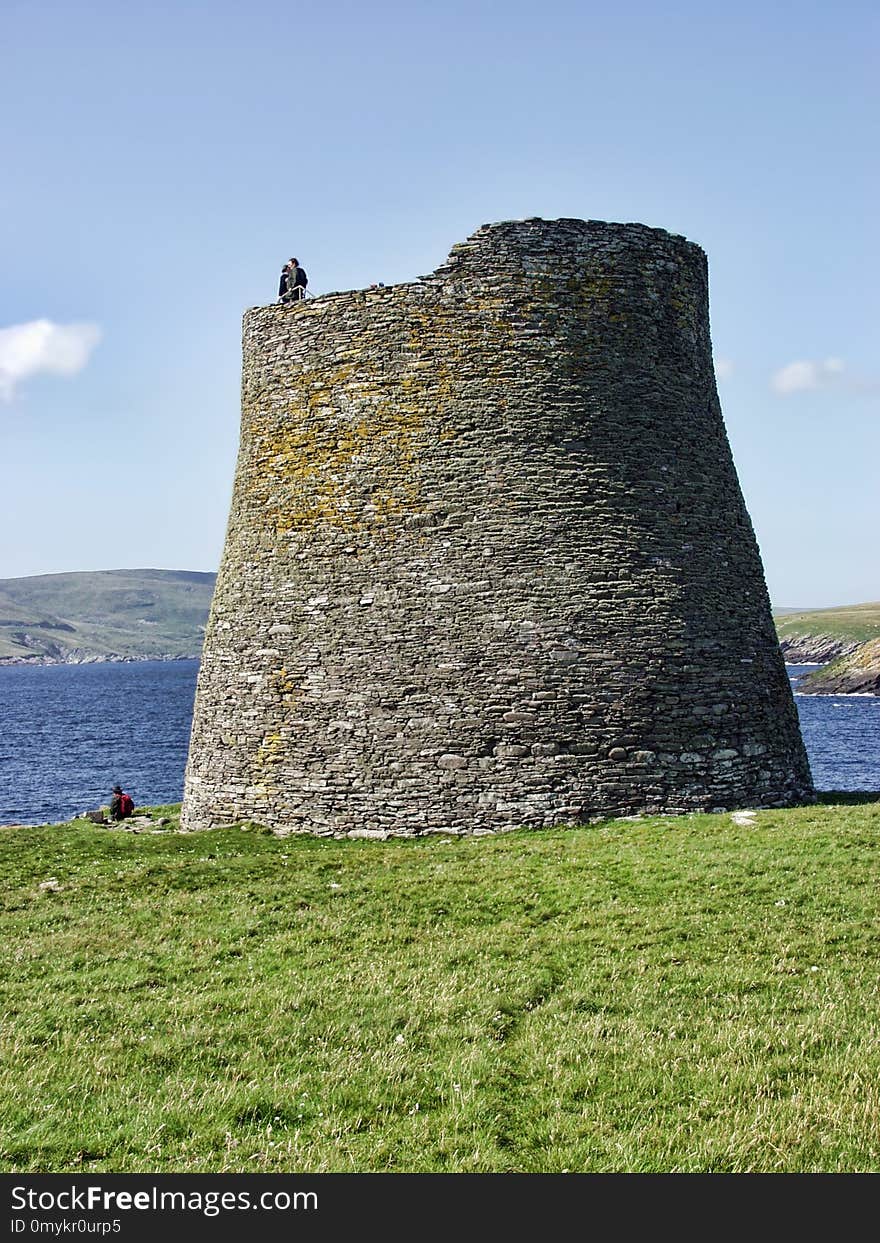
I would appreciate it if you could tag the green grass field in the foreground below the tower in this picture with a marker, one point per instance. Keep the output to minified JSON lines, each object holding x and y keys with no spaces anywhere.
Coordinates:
{"x":662,"y":995}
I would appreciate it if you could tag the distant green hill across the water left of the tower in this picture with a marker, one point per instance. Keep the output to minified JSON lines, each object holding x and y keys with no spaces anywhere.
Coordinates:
{"x":110,"y":615}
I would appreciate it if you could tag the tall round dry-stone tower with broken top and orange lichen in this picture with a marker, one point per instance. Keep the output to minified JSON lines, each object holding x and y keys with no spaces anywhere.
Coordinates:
{"x":488,"y":560}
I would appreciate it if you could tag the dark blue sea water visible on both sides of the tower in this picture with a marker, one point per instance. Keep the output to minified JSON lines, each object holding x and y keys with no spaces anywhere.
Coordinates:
{"x":69,"y":733}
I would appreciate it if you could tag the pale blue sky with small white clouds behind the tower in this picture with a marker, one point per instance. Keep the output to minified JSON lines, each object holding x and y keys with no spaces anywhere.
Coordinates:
{"x":161,"y":162}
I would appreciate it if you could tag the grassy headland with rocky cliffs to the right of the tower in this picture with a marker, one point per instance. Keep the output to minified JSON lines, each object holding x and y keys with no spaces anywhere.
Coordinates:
{"x":846,"y":641}
